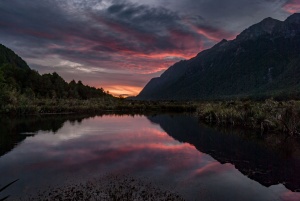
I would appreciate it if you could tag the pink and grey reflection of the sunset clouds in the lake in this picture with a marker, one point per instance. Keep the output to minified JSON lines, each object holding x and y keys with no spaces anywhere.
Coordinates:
{"x":125,"y":145}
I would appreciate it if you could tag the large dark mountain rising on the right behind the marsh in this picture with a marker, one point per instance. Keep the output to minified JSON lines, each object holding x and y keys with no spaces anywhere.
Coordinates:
{"x":263,"y":61}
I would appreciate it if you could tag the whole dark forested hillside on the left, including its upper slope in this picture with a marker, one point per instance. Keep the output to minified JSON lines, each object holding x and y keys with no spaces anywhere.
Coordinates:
{"x":19,"y":83}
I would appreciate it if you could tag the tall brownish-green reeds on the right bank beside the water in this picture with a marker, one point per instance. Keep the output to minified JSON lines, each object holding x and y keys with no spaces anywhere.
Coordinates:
{"x":267,"y":116}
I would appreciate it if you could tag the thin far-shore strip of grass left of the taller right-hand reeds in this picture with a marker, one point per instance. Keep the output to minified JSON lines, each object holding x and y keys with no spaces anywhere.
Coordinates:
{"x":26,"y":106}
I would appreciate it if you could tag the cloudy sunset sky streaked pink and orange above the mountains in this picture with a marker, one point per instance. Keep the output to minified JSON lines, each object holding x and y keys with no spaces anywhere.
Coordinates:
{"x":120,"y":45}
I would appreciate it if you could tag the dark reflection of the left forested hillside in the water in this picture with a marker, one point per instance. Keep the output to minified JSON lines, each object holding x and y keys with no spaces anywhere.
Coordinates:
{"x":14,"y":131}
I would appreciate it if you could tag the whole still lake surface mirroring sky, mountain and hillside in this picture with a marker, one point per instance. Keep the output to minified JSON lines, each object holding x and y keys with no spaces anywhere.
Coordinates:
{"x":173,"y":151}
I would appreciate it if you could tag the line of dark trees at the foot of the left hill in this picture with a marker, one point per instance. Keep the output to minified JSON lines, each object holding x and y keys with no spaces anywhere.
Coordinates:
{"x":16,"y":81}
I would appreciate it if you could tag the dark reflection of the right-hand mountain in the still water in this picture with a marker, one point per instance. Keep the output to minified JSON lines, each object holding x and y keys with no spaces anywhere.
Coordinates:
{"x":254,"y":159}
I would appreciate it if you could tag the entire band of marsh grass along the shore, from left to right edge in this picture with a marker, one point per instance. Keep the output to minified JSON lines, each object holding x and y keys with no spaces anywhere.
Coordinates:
{"x":269,"y":115}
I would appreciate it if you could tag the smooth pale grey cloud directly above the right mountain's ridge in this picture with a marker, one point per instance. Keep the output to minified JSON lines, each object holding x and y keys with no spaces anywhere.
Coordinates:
{"x":233,"y":15}
